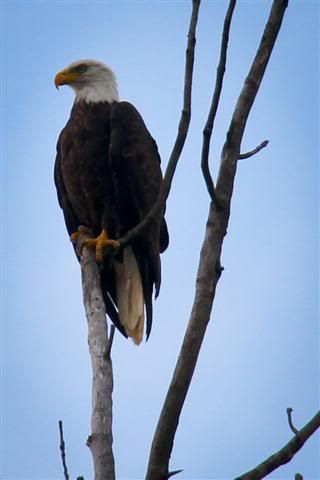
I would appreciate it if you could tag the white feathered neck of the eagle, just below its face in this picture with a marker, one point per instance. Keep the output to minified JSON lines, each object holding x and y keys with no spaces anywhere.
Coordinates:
{"x":100,"y":90}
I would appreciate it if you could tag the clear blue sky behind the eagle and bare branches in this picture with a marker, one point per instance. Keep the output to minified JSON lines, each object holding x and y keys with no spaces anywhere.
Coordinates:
{"x":261,"y":352}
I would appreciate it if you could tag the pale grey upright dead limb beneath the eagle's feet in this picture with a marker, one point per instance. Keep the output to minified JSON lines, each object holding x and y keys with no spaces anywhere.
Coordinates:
{"x":100,"y":439}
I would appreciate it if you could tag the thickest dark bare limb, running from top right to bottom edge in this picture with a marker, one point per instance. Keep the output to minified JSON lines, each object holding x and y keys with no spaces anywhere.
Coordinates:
{"x":207,"y":276}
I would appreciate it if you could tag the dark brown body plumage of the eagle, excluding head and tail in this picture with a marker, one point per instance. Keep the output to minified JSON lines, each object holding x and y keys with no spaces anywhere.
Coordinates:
{"x":108,"y":176}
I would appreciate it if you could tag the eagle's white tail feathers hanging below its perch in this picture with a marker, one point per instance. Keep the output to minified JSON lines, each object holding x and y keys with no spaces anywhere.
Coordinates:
{"x":130,"y":296}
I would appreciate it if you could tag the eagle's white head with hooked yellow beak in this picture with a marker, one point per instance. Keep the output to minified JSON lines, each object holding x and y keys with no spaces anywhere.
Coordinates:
{"x":91,"y":80}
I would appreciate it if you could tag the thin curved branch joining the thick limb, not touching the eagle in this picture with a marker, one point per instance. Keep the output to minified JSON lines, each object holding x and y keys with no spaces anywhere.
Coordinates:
{"x":207,"y":132}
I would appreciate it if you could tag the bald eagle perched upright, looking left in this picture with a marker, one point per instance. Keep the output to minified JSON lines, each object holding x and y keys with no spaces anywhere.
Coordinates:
{"x":107,"y":174}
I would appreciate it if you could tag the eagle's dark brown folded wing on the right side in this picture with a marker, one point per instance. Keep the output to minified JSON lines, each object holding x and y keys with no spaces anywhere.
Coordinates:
{"x":135,"y":163}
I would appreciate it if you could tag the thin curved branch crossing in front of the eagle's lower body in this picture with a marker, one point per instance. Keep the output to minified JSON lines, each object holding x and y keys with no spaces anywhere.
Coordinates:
{"x":181,"y":136}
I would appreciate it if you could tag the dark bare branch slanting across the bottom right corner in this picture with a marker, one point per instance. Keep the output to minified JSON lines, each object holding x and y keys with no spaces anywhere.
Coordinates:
{"x":285,"y":454}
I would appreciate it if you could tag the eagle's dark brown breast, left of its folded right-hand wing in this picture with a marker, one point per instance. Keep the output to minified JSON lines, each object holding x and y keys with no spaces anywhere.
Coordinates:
{"x":85,"y":167}
